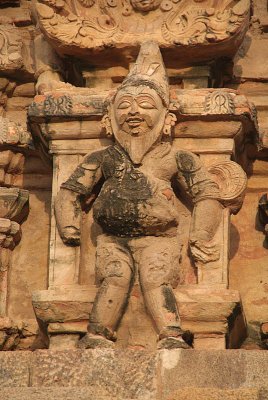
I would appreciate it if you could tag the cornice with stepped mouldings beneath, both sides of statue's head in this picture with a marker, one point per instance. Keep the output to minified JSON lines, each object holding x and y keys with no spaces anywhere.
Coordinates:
{"x":77,"y":114}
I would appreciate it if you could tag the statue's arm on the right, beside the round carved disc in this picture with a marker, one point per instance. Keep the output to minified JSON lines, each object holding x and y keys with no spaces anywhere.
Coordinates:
{"x":207,"y":213}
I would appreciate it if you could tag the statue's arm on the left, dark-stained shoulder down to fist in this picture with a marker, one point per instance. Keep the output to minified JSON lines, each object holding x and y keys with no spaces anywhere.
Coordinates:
{"x":68,"y":201}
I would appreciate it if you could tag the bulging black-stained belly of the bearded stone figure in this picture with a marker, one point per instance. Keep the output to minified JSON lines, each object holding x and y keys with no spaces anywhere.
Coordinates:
{"x":133,"y":213}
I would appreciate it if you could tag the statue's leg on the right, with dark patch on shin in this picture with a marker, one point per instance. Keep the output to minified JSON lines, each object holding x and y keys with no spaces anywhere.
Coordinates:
{"x":158,"y":263}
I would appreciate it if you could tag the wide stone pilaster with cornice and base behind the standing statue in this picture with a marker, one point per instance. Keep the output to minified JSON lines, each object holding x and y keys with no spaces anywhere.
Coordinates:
{"x":216,"y":125}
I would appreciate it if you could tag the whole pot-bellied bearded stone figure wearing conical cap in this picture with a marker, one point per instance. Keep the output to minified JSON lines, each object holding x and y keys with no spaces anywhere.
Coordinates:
{"x":135,"y":207}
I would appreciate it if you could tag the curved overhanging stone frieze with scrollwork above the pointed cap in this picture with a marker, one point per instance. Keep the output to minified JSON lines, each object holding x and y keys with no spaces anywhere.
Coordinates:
{"x":79,"y":26}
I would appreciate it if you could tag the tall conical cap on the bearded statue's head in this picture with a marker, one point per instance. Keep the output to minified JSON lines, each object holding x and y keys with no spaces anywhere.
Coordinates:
{"x":149,"y":70}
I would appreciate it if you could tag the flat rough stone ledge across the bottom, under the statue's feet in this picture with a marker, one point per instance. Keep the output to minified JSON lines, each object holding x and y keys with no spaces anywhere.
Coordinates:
{"x":134,"y":375}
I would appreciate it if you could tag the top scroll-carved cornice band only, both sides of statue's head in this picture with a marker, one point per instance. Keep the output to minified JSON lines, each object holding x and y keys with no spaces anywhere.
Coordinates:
{"x":86,"y":104}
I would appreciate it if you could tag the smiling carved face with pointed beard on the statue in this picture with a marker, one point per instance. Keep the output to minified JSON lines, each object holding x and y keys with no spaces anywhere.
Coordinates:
{"x":137,"y":117}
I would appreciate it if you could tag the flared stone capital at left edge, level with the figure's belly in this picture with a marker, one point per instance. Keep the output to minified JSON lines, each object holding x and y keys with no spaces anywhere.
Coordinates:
{"x":13,"y":203}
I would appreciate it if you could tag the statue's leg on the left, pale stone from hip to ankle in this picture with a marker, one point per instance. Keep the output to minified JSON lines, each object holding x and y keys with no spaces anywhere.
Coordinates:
{"x":114,"y":272}
